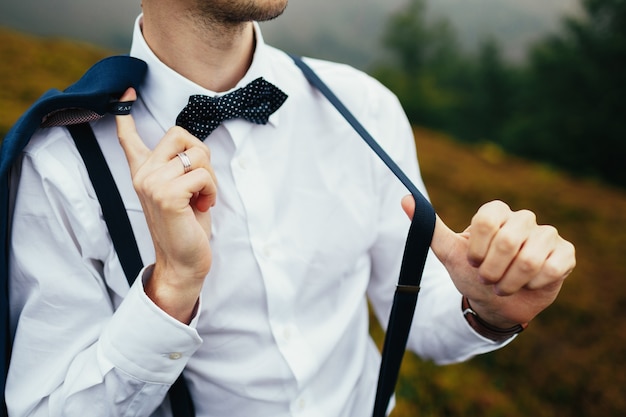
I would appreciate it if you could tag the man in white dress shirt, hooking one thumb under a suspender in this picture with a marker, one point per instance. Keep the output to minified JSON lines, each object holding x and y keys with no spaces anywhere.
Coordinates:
{"x":262,"y":242}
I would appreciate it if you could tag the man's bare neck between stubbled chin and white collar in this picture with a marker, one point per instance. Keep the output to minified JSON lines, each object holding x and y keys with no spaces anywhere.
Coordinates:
{"x":214,"y":55}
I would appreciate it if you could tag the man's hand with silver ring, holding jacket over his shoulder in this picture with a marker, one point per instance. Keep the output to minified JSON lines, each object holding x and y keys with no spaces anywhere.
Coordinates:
{"x":176,"y":205}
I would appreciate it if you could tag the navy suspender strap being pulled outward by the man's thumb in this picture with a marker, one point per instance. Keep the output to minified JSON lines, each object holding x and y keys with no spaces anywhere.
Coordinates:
{"x":415,"y":252}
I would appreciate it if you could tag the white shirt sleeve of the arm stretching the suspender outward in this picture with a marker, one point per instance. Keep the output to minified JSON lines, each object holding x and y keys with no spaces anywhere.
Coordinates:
{"x":439,"y":330}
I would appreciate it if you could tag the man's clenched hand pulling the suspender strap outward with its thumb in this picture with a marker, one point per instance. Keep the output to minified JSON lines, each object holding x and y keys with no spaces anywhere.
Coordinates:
{"x":508,"y":267}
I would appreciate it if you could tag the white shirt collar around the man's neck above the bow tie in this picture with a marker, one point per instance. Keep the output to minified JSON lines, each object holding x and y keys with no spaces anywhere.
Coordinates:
{"x":165,"y":92}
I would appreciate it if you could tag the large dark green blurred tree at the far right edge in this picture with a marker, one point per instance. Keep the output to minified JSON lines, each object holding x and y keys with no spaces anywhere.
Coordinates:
{"x":573,"y":112}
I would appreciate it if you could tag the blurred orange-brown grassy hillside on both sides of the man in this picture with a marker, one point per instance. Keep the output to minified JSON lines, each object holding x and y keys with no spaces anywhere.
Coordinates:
{"x":571,"y":360}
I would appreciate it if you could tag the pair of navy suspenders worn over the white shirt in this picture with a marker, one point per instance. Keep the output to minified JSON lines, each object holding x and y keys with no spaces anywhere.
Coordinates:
{"x":405,"y":297}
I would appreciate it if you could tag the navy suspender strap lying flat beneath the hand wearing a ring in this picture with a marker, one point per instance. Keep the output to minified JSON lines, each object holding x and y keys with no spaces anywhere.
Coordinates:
{"x":122,"y":235}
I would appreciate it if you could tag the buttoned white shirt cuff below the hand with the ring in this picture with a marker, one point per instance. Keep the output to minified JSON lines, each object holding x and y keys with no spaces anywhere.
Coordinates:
{"x":144,"y":341}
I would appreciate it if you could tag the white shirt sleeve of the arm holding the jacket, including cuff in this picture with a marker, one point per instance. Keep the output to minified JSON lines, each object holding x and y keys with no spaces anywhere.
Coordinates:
{"x":84,"y":350}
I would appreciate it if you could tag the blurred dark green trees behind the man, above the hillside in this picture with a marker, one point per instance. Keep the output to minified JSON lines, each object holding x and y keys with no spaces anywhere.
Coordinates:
{"x":563,"y":107}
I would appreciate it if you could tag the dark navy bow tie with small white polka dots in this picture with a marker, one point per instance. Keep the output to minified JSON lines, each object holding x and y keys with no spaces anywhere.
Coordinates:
{"x":254,"y":103}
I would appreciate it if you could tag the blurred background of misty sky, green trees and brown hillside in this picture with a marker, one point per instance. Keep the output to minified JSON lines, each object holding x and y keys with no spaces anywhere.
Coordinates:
{"x":520,"y":101}
